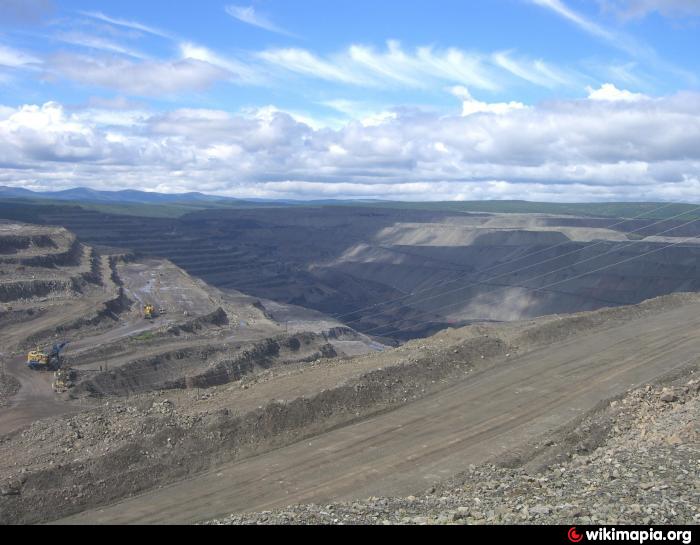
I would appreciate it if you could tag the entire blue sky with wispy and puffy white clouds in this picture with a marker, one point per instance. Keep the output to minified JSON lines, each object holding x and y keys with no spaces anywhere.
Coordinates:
{"x":548,"y":100}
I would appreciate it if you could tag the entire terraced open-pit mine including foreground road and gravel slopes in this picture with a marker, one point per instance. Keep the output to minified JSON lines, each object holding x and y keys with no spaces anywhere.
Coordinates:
{"x":272,"y":364}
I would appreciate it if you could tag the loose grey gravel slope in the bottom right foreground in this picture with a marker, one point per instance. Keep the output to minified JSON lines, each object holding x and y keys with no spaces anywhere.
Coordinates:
{"x":645,"y":470}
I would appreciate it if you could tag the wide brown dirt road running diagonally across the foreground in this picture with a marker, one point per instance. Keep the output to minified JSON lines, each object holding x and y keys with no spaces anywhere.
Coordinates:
{"x":404,"y":451}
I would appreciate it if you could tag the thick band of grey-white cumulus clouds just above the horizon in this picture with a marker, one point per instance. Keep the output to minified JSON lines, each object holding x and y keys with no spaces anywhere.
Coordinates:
{"x":567,"y":150}
